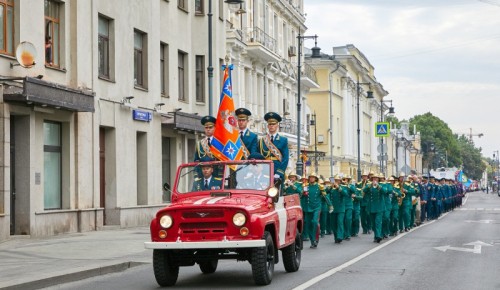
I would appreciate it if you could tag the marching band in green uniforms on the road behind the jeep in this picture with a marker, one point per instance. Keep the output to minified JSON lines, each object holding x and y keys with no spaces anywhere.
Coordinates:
{"x":342,"y":207}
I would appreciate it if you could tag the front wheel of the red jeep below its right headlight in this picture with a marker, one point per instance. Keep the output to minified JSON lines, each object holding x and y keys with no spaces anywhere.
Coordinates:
{"x":263,"y":262}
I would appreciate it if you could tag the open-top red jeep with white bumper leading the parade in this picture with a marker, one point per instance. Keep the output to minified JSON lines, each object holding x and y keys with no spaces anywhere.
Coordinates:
{"x":239,"y":214}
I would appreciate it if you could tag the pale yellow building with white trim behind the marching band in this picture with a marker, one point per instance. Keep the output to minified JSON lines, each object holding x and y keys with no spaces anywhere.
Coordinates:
{"x":346,"y":79}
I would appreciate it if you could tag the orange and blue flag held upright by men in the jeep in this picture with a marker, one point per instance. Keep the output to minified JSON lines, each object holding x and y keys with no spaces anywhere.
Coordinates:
{"x":226,"y":144}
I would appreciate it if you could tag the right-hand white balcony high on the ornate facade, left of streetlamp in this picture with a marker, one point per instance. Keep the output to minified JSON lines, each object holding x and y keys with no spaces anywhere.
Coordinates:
{"x":260,"y":45}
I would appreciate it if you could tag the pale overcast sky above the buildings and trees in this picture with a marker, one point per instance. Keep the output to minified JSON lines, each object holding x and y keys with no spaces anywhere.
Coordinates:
{"x":438,"y":56}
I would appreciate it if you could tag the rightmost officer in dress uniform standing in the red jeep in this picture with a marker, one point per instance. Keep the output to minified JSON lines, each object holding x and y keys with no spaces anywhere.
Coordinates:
{"x":273,"y":146}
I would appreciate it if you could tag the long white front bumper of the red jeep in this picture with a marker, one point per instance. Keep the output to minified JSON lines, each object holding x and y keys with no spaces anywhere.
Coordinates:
{"x":224,"y":244}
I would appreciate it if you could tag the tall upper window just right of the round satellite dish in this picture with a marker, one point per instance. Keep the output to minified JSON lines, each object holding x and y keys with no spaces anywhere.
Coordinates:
{"x":52,"y":33}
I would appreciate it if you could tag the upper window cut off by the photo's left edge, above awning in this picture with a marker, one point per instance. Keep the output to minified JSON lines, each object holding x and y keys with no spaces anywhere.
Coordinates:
{"x":7,"y":27}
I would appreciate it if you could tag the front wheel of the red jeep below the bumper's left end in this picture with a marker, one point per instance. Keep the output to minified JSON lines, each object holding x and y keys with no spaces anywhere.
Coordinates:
{"x":166,"y":272}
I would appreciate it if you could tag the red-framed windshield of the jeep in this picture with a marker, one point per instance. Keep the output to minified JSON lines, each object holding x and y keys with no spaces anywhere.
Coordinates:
{"x":210,"y":176}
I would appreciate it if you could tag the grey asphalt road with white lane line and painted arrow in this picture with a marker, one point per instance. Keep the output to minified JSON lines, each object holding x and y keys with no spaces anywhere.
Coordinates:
{"x":459,"y":251}
